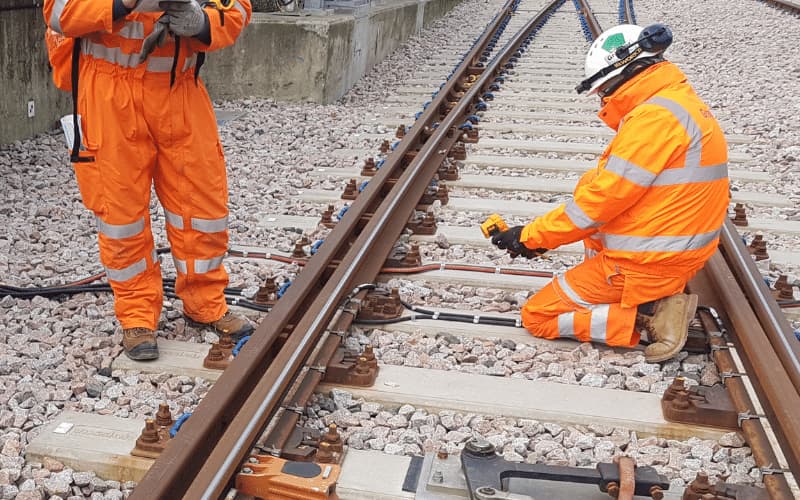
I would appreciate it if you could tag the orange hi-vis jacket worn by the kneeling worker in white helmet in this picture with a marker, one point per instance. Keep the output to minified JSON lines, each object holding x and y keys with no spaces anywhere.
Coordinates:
{"x":657,"y":200}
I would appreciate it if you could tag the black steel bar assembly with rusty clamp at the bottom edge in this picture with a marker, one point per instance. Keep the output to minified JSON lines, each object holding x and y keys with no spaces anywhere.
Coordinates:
{"x":479,"y":473}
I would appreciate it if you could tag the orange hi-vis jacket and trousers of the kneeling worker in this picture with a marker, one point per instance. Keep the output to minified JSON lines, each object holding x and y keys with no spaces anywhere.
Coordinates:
{"x":650,"y":214}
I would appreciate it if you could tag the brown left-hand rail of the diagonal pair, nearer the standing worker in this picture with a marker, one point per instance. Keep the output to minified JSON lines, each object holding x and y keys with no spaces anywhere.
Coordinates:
{"x":179,"y":465}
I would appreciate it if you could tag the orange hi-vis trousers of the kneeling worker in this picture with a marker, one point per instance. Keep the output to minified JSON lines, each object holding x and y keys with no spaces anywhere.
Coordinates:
{"x":595,"y":302}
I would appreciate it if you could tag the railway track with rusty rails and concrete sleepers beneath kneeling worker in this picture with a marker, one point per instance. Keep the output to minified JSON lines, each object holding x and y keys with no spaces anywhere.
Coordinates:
{"x":534,"y":137}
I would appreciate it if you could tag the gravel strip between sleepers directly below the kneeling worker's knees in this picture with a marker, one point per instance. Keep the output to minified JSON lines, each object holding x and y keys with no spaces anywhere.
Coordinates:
{"x":582,"y":364}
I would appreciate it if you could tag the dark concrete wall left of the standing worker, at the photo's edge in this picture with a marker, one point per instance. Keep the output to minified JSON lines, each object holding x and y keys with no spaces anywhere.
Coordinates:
{"x":25,"y":75}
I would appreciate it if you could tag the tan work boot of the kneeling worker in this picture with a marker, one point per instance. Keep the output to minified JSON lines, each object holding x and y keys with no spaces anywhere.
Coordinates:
{"x":668,"y":327}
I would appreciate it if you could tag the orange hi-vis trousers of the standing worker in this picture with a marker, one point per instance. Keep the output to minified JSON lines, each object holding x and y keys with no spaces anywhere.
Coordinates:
{"x":142,"y":132}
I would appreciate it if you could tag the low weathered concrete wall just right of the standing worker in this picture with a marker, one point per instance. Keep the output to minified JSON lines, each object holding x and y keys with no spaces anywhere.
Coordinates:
{"x":314,"y":58}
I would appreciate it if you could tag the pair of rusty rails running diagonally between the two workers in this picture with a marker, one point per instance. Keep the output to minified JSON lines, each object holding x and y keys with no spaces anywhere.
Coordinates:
{"x":204,"y":456}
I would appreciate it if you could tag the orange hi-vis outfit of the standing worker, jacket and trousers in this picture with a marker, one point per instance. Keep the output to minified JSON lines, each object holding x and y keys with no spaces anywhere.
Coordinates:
{"x":140,"y":131}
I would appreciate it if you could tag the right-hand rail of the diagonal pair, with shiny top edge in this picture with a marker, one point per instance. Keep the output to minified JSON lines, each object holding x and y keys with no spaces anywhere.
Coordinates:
{"x":378,"y":236}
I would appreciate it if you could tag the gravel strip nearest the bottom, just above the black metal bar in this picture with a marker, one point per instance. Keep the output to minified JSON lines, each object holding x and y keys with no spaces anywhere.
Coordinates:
{"x":407,"y":430}
